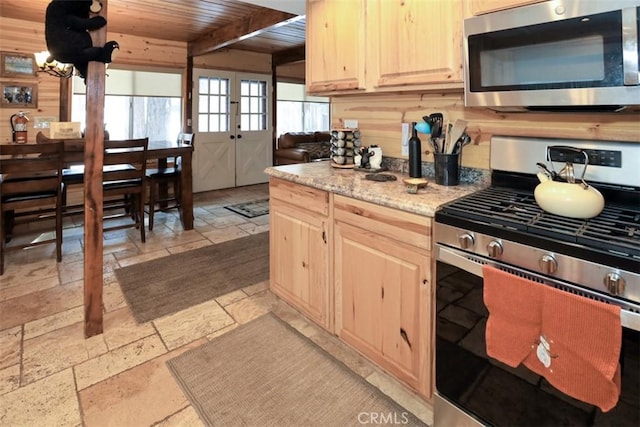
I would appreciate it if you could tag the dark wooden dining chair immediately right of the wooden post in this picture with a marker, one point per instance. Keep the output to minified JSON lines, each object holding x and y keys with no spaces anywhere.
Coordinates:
{"x":124,"y":186}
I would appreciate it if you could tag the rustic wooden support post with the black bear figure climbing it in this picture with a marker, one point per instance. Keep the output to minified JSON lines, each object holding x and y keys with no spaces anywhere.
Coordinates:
{"x":93,"y":197}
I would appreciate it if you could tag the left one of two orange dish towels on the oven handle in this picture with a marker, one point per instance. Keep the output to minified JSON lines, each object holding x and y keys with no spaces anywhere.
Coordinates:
{"x":515,"y":314}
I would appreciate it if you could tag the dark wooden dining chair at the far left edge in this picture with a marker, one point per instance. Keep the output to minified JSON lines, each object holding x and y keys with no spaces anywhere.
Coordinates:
{"x":30,"y":191}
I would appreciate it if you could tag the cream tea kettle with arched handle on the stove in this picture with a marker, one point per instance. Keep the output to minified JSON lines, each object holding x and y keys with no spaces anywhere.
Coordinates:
{"x":571,"y":199}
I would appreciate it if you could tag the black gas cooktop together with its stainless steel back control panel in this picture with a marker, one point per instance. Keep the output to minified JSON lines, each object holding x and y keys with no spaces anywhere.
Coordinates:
{"x":508,"y":208}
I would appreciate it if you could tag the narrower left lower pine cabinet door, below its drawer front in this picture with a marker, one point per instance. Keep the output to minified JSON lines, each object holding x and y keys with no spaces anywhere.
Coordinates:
{"x":299,"y":259}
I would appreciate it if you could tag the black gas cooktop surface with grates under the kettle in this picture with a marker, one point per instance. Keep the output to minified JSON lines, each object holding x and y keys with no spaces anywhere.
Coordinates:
{"x":515,"y":215}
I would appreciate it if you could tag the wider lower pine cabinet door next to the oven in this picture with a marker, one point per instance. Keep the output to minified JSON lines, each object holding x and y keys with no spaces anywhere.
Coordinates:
{"x":383,"y":295}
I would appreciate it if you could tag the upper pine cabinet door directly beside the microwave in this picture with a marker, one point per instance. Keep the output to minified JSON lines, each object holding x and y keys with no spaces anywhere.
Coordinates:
{"x":419,"y":42}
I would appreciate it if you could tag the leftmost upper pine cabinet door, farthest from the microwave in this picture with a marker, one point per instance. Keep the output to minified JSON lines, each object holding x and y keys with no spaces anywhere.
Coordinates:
{"x":335,"y":45}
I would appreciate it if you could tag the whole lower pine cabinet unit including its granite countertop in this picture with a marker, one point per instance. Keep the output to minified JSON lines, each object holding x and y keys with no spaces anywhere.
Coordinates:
{"x":355,"y":256}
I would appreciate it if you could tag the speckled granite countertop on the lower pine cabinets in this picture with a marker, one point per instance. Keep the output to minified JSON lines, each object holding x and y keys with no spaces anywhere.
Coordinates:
{"x":393,"y":194}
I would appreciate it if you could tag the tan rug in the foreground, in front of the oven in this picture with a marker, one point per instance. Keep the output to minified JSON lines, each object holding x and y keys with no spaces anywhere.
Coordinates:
{"x":265,"y":373}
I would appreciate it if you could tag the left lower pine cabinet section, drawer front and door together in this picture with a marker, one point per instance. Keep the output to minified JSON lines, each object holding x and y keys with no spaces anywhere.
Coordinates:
{"x":299,"y":249}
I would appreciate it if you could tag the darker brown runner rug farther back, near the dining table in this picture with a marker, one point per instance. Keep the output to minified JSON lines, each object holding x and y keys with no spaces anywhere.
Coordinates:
{"x":167,"y":285}
